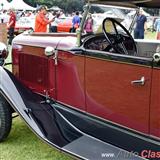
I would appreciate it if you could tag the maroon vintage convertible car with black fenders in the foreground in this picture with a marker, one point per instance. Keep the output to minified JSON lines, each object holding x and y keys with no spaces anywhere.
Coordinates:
{"x":94,"y":96}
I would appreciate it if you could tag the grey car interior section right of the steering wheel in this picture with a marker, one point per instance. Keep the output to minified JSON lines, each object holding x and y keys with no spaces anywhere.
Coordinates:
{"x":146,"y":48}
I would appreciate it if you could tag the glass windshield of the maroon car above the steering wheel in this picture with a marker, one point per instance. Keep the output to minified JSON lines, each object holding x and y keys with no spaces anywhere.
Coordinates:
{"x":99,"y":12}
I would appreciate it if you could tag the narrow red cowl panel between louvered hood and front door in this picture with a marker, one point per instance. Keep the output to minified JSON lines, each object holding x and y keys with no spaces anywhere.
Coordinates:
{"x":70,"y":80}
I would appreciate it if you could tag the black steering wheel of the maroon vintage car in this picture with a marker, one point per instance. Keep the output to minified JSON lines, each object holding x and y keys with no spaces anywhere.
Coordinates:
{"x":120,"y":39}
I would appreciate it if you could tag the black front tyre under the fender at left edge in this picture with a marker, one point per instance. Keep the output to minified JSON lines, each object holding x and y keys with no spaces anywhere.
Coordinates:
{"x":5,"y":118}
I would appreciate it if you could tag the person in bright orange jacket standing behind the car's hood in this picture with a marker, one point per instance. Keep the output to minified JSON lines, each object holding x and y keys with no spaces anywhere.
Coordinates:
{"x":41,"y":21}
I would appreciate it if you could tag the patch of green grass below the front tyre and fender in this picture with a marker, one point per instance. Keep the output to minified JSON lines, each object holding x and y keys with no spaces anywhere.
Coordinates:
{"x":22,"y":144}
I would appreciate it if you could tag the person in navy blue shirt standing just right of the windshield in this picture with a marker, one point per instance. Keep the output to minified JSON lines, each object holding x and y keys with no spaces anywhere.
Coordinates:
{"x":140,"y":25}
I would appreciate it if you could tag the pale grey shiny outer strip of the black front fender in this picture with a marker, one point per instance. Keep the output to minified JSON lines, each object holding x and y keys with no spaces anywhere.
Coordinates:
{"x":9,"y":90}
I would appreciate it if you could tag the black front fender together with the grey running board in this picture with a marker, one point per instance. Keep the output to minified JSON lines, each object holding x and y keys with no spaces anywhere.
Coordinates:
{"x":49,"y":123}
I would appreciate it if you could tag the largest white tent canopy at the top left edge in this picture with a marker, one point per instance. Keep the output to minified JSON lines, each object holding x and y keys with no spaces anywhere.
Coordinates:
{"x":20,"y":5}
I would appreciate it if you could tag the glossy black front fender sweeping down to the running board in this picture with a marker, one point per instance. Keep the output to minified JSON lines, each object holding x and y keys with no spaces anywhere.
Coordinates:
{"x":39,"y":115}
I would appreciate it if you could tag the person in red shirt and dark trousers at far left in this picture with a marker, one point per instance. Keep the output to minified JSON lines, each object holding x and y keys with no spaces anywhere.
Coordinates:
{"x":11,"y":25}
